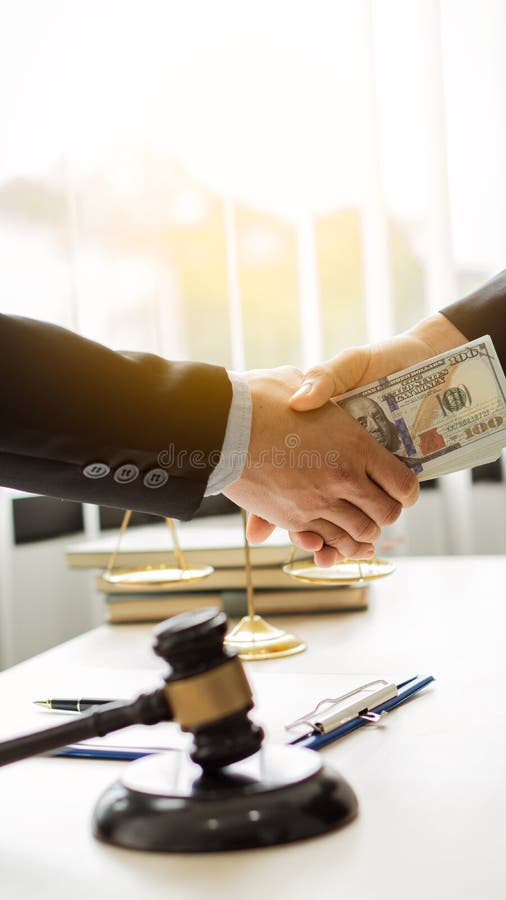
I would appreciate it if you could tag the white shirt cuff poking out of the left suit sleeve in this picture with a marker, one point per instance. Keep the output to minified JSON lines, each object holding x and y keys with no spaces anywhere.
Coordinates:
{"x":235,"y":445}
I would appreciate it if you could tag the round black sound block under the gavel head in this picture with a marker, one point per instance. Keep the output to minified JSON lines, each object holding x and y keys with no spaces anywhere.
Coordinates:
{"x":165,"y":804}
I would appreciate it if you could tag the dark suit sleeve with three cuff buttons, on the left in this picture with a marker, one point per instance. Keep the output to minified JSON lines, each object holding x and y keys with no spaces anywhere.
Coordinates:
{"x":82,"y":422}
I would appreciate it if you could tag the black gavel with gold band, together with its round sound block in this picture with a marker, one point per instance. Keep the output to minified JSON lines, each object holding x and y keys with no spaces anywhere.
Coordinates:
{"x":230,"y":792}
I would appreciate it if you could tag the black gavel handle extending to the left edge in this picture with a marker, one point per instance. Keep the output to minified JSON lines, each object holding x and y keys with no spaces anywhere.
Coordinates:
{"x":147,"y":709}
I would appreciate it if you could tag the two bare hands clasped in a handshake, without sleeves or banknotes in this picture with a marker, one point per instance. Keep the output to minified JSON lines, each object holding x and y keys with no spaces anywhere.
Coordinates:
{"x":327,"y":474}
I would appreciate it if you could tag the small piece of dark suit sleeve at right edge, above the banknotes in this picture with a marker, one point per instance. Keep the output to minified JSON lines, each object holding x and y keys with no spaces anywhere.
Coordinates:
{"x":483,"y":312}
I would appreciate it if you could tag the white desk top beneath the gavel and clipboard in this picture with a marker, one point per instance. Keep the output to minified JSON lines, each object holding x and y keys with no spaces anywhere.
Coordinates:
{"x":431,"y":781}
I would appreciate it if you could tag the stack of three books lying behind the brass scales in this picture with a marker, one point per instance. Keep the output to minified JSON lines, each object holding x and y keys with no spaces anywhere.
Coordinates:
{"x":216,"y":541}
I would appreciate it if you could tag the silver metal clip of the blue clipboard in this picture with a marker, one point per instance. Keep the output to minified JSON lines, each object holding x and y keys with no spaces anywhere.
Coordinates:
{"x":331,"y":712}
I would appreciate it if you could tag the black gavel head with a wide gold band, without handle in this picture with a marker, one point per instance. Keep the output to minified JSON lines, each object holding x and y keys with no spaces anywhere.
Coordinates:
{"x":207,"y":689}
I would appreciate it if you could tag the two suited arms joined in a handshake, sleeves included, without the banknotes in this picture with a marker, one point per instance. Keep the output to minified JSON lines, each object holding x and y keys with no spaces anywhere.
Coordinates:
{"x":131,"y":430}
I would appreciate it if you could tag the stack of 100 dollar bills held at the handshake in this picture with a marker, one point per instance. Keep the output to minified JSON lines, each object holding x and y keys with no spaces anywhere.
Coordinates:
{"x":444,"y":414}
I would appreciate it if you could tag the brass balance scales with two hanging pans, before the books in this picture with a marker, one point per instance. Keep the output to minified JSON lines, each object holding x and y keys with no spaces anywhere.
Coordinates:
{"x":252,"y":637}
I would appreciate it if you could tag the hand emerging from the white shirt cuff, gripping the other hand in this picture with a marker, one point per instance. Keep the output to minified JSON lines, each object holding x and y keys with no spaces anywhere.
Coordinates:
{"x":319,"y":474}
